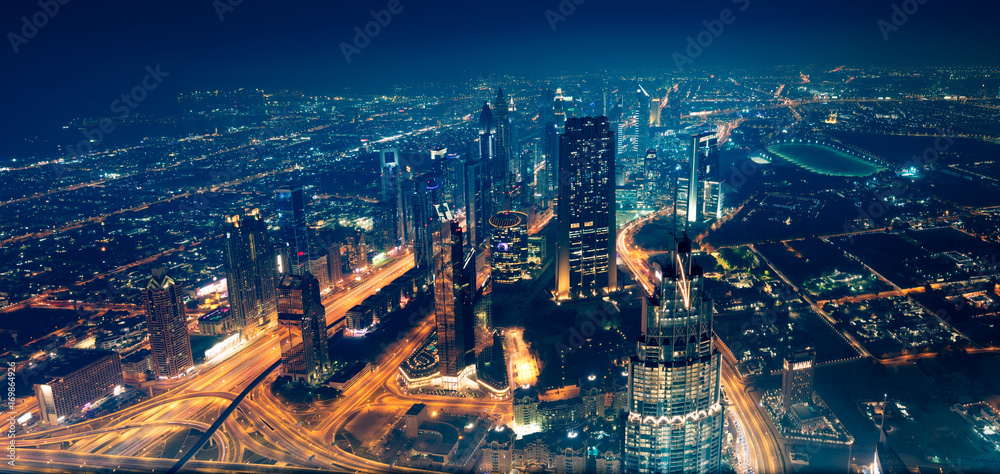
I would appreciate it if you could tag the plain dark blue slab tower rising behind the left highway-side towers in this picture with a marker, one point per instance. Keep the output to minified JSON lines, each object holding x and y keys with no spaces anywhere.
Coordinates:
{"x":293,"y":246}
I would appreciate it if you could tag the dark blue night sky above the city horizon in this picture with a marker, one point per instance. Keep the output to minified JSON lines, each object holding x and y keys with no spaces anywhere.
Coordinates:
{"x":90,"y":52}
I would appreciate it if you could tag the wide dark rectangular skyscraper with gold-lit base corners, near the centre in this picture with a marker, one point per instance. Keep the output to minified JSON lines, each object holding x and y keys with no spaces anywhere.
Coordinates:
{"x":585,"y":258}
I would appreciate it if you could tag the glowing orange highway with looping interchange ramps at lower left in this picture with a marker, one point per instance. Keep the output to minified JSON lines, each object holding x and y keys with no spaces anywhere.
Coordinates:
{"x":140,"y":430}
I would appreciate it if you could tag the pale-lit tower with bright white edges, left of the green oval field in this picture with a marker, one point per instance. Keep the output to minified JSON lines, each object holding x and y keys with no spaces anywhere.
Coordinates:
{"x":699,"y":193}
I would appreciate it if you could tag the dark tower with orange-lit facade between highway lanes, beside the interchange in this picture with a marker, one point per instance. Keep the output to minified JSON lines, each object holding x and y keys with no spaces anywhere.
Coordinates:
{"x":302,"y":319}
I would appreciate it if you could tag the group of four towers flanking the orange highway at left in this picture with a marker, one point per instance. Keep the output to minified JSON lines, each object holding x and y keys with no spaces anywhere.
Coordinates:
{"x":268,"y":284}
